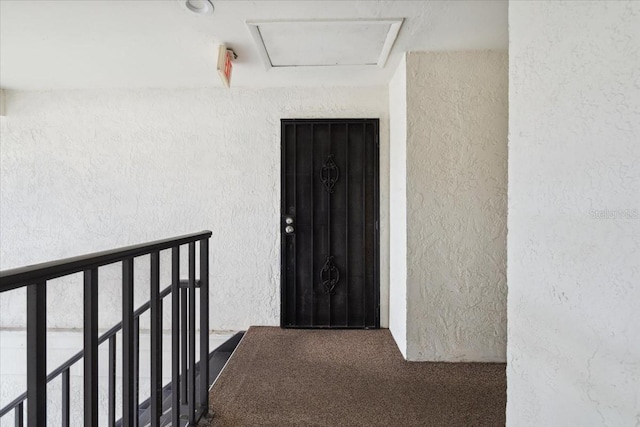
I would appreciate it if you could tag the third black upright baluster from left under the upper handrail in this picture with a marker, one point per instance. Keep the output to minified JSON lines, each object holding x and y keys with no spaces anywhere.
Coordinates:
{"x":128,"y":410}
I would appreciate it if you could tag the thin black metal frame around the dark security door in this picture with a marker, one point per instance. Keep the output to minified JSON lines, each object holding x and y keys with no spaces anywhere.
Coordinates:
{"x":376,"y":212}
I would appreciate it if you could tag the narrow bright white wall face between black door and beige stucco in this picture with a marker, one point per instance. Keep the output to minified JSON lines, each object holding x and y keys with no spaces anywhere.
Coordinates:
{"x":398,"y":206}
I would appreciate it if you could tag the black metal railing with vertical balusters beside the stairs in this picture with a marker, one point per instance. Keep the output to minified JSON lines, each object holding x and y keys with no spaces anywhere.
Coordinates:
{"x":189,"y":395}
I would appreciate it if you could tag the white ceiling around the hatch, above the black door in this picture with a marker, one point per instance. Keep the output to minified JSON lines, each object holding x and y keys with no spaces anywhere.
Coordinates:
{"x":69,"y":44}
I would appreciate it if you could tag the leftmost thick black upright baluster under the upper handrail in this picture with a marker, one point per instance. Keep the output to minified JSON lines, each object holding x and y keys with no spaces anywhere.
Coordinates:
{"x":37,"y":354}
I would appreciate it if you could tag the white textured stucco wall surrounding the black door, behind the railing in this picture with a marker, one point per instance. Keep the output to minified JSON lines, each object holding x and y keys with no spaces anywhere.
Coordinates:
{"x":90,"y":170}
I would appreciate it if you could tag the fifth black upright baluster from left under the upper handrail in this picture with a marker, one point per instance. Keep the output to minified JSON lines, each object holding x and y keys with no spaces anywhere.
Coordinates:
{"x":175,"y":336}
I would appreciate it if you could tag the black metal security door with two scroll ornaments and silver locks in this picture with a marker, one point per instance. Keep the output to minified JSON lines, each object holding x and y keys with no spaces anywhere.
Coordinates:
{"x":329,"y":223}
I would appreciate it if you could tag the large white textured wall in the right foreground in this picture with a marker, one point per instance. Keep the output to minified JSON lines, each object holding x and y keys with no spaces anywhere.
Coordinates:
{"x":574,"y":227}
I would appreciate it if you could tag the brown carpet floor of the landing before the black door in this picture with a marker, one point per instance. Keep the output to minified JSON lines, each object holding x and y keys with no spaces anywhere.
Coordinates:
{"x":293,"y":377}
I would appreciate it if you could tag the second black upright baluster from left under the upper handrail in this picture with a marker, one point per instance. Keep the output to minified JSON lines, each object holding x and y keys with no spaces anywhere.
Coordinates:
{"x":91,"y":347}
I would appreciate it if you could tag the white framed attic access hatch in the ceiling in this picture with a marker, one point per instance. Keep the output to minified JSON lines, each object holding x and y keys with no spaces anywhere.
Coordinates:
{"x":324,"y":43}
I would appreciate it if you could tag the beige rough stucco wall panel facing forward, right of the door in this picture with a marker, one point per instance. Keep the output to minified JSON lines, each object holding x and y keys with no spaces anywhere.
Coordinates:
{"x":456,"y":205}
